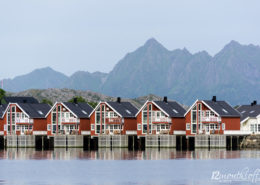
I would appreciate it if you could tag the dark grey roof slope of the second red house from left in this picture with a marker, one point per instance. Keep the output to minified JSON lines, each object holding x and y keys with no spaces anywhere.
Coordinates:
{"x":82,"y":110}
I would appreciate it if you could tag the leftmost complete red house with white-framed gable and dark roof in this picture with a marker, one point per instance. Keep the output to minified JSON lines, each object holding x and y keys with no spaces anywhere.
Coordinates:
{"x":25,"y":119}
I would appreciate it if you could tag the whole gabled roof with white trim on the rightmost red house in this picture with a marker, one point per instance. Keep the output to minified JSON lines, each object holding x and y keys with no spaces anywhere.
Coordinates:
{"x":220,"y":108}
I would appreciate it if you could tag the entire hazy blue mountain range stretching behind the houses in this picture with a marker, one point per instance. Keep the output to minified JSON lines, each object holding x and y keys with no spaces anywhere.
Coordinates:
{"x":233,"y":74}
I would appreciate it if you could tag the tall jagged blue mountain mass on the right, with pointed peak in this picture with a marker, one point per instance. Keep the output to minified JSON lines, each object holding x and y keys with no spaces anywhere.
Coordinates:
{"x":233,"y":74}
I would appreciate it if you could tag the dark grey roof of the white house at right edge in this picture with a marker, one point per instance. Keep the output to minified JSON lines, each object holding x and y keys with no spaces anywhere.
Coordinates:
{"x":249,"y":111}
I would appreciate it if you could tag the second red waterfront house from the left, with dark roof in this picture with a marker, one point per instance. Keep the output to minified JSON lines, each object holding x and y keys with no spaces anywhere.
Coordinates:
{"x":67,"y":118}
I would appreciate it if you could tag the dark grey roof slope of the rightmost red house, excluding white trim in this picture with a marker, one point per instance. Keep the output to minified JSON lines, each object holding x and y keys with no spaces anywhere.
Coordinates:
{"x":222,"y":108}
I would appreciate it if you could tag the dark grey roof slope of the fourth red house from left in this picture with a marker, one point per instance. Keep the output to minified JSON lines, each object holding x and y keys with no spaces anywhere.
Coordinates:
{"x":172,"y":108}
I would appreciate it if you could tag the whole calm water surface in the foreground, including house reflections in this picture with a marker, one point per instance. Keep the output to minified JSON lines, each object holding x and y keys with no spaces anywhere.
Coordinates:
{"x":120,"y":166}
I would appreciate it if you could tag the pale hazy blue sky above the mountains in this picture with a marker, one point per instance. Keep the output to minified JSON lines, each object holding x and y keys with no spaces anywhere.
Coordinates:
{"x":71,"y":35}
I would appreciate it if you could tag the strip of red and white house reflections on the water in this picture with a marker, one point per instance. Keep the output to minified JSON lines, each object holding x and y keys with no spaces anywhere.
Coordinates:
{"x":124,"y":154}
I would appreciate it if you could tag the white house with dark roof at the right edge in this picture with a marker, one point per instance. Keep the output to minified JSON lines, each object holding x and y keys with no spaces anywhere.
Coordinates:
{"x":250,"y":118}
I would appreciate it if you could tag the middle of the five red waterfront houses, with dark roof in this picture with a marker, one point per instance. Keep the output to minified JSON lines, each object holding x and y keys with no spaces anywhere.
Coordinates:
{"x":113,"y":118}
